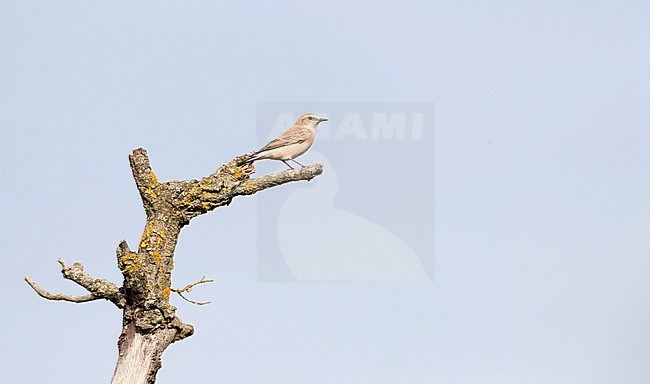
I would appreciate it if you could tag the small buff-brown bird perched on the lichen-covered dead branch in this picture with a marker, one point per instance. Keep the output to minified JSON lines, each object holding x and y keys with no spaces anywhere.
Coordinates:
{"x":292,"y":143}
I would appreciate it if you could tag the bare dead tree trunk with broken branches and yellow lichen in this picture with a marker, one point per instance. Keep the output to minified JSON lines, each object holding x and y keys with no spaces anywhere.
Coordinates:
{"x":149,"y":323}
